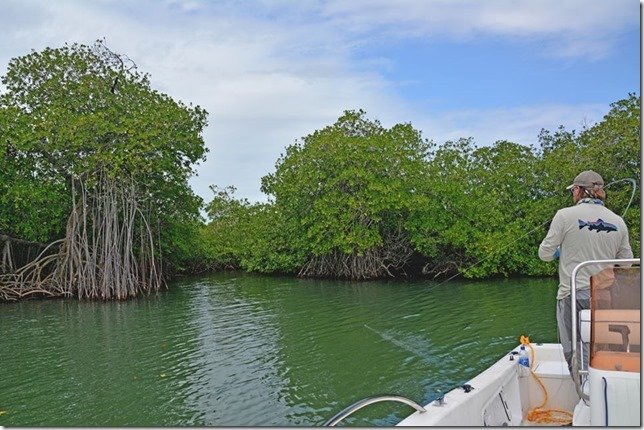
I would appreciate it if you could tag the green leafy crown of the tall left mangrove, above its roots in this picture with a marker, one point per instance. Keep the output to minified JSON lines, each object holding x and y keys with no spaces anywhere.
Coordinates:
{"x":71,"y":112}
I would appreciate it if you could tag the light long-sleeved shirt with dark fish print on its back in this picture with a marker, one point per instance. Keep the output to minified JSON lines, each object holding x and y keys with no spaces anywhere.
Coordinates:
{"x":586,"y":231}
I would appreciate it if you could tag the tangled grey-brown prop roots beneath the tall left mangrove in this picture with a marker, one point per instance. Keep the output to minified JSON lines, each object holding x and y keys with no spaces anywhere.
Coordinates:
{"x":108,"y":251}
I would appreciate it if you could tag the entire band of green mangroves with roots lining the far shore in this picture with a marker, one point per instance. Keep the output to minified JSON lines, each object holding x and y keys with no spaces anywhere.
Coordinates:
{"x":95,"y":201}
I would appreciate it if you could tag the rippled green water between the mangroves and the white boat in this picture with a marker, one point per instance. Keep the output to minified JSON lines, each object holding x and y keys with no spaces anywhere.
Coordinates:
{"x":242,"y":350}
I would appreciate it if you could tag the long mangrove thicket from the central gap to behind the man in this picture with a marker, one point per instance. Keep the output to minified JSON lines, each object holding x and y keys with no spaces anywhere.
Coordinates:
{"x":355,"y":187}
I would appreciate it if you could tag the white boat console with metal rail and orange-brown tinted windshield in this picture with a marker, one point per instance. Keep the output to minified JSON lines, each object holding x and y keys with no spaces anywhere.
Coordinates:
{"x":611,"y":327}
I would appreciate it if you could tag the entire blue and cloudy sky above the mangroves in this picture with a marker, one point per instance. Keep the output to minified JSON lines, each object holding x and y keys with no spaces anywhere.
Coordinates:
{"x":270,"y":72}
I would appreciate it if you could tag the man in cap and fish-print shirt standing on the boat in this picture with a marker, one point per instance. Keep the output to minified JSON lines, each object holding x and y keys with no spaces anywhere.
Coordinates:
{"x":585,"y":231}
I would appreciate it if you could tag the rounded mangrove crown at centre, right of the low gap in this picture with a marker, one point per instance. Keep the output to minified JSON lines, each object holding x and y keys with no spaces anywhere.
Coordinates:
{"x":348,"y":188}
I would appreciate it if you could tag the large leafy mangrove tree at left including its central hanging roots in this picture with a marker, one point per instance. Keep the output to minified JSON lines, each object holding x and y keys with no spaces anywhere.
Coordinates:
{"x":83,"y":133}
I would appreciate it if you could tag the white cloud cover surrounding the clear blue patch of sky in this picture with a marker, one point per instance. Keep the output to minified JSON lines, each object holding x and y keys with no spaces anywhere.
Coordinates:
{"x":271,"y":72}
